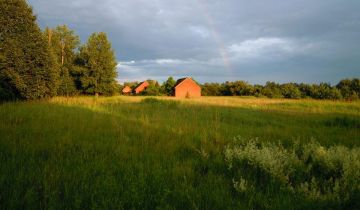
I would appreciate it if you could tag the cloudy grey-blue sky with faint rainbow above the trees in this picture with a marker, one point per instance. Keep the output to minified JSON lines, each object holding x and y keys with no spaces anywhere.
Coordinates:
{"x":220,"y":40}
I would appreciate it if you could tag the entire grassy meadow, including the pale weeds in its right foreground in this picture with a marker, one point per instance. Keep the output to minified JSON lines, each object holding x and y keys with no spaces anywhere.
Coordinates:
{"x":165,"y":153}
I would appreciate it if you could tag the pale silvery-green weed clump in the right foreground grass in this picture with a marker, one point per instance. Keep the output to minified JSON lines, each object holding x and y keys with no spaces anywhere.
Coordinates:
{"x":326,"y":175}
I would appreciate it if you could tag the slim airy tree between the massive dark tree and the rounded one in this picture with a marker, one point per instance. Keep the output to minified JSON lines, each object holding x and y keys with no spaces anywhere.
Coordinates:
{"x":64,"y":43}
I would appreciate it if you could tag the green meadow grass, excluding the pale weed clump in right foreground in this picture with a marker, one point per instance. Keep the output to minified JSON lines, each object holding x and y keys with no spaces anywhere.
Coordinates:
{"x":126,"y":152}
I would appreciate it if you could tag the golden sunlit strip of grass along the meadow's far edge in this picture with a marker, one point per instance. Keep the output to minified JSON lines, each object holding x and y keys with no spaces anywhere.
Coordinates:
{"x":300,"y":105}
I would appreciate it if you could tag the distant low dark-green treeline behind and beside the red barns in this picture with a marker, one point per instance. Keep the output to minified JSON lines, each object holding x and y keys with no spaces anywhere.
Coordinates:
{"x":348,"y":89}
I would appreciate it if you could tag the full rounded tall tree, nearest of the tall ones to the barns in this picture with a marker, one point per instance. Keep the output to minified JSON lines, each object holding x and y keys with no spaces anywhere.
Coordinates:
{"x":99,"y":65}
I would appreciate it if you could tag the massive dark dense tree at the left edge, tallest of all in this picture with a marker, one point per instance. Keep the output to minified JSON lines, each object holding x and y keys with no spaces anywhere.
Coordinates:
{"x":26,"y":65}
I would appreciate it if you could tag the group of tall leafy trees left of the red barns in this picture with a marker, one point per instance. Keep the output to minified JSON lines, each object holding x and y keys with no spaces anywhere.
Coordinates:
{"x":35,"y":64}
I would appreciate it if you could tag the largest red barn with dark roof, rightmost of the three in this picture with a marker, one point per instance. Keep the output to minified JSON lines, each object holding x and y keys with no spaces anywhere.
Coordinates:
{"x":186,"y":87}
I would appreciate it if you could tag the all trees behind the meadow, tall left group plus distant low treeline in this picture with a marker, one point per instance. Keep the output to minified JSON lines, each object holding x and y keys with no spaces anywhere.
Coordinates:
{"x":35,"y":64}
